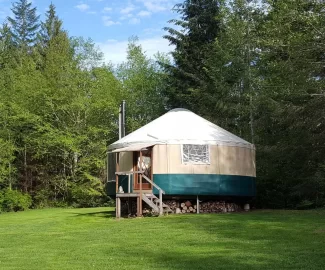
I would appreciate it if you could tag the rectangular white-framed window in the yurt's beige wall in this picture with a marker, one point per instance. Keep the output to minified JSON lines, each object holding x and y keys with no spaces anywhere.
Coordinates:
{"x":195,"y":154}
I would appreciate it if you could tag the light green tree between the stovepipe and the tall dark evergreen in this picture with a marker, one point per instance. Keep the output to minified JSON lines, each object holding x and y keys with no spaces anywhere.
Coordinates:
{"x":143,"y":86}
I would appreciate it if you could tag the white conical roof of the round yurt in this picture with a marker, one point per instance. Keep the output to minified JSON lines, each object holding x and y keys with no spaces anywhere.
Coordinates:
{"x":178,"y":126}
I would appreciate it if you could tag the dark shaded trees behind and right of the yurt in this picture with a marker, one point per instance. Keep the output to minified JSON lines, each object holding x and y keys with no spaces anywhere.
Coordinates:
{"x":261,"y":77}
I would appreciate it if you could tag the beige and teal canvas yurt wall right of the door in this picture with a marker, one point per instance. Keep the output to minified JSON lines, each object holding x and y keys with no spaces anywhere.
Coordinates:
{"x":230,"y":171}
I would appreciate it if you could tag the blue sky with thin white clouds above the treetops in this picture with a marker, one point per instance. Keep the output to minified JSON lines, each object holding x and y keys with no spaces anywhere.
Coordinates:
{"x":109,"y":23}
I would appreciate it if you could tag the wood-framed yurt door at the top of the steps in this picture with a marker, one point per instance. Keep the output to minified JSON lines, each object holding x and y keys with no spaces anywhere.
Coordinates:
{"x":146,"y":166}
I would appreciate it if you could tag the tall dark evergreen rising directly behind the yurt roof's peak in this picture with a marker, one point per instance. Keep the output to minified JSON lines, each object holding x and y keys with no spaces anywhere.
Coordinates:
{"x":199,"y":26}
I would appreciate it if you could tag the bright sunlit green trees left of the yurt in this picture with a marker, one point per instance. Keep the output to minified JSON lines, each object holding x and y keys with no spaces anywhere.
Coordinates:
{"x":58,"y":113}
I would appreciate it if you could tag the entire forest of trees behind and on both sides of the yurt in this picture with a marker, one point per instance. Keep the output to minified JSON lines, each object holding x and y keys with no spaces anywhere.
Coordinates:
{"x":255,"y":69}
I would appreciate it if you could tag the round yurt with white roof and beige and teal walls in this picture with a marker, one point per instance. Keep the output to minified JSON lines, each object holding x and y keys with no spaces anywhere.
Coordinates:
{"x":182,"y":154}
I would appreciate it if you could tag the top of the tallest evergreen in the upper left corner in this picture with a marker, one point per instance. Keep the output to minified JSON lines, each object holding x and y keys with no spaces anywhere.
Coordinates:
{"x":24,"y":24}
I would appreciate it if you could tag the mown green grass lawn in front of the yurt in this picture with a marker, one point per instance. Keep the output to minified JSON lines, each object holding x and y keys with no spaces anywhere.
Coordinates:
{"x":93,"y":239}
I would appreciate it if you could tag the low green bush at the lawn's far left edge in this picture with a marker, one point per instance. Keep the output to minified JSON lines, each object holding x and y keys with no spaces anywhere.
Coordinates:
{"x":13,"y":200}
